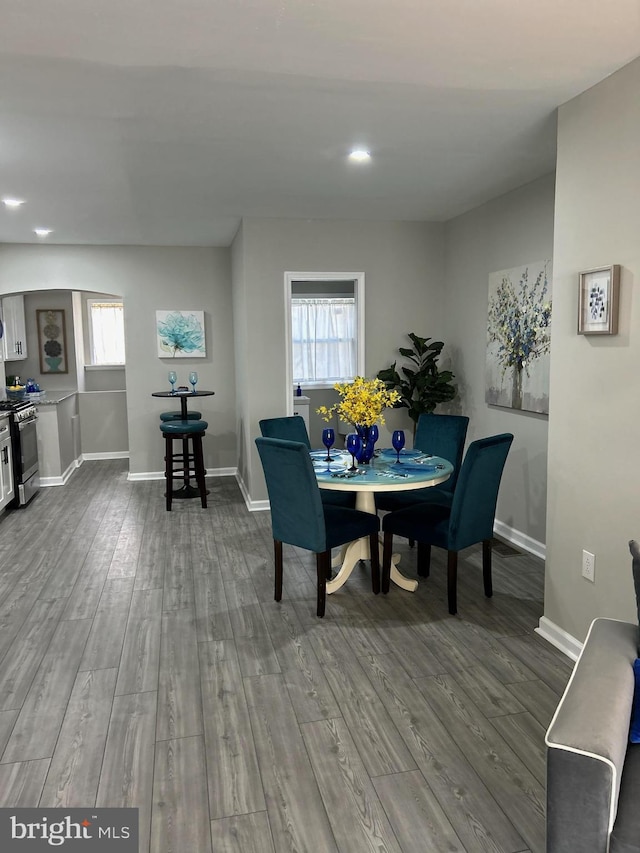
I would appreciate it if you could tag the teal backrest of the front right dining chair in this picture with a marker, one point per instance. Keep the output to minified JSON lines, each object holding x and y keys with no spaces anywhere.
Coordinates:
{"x":474,"y":503}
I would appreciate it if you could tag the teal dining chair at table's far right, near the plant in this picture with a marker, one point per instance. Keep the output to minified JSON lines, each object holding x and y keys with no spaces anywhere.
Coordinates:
{"x":439,"y":435}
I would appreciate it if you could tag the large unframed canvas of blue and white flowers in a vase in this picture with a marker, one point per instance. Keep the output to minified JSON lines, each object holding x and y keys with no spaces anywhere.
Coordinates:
{"x":519,"y":338}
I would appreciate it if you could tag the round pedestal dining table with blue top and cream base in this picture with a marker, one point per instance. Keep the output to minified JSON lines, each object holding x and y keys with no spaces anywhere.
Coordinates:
{"x":386,"y":472}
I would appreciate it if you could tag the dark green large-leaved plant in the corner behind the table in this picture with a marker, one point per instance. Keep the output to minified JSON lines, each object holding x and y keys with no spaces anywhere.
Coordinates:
{"x":421,"y":384}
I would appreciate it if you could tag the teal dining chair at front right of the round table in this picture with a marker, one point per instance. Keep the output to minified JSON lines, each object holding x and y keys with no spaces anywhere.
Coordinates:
{"x":469,"y":518}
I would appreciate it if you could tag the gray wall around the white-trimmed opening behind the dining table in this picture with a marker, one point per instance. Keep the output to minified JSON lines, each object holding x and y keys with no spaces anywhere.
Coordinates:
{"x":404,"y":286}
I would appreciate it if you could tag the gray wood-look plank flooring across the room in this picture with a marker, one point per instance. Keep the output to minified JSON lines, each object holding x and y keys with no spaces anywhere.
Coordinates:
{"x":144,"y":662}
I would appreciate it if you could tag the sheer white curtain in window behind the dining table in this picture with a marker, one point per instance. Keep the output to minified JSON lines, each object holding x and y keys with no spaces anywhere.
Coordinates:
{"x":324,"y":339}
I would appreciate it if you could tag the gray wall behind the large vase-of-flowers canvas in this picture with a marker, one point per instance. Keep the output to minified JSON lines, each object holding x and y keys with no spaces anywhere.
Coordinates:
{"x":509,"y":231}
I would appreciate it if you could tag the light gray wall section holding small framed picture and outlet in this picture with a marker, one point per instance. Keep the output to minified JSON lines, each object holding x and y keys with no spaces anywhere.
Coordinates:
{"x":594,"y":451}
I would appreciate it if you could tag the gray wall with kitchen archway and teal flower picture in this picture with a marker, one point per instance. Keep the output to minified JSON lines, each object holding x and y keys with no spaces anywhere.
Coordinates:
{"x":149,"y":278}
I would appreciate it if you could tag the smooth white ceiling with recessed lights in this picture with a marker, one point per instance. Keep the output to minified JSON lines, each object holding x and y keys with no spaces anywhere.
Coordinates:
{"x":162,"y":122}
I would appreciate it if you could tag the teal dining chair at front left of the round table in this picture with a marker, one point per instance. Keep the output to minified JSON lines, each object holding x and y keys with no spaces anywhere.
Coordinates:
{"x":298,"y":516}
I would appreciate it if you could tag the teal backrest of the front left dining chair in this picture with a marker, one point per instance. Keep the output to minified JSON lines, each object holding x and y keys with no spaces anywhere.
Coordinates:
{"x":297,"y":516}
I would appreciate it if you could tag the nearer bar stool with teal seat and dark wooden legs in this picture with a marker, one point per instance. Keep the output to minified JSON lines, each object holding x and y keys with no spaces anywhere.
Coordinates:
{"x":184,"y":463}
